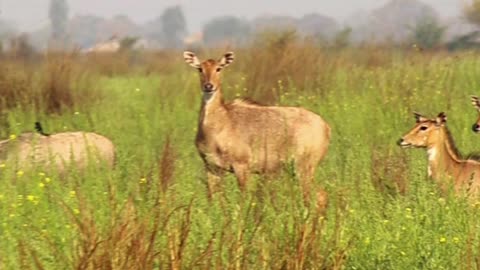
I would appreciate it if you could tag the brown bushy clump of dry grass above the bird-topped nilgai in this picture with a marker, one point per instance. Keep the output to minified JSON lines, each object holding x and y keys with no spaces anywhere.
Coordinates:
{"x":56,"y":86}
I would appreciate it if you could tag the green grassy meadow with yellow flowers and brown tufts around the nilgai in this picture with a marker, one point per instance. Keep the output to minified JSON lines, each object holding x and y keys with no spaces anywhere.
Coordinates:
{"x":152,"y":212}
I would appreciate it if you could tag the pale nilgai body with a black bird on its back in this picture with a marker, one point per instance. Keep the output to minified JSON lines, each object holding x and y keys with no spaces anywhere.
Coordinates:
{"x":58,"y":150}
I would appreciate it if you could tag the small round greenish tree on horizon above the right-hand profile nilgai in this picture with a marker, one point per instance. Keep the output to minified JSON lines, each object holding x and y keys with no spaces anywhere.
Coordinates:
{"x":428,"y":33}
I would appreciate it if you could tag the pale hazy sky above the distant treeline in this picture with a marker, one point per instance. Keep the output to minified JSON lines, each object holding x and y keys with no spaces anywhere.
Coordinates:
{"x":32,"y":14}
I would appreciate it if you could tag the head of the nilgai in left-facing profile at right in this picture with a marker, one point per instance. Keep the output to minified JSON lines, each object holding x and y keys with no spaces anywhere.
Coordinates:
{"x":425,"y":132}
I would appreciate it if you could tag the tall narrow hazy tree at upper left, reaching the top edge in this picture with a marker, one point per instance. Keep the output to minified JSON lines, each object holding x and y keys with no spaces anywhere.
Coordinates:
{"x":58,"y":15}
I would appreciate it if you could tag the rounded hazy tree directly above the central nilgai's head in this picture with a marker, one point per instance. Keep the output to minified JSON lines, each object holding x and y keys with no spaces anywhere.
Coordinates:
{"x":226,"y":29}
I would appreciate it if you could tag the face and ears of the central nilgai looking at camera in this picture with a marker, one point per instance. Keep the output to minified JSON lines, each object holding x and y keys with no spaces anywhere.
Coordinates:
{"x":209,"y":70}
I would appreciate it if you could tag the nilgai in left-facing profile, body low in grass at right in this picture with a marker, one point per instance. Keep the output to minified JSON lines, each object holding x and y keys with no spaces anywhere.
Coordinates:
{"x":445,"y":163}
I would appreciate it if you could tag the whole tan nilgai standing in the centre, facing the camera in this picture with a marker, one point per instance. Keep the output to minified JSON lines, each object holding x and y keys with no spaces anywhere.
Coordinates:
{"x":243,"y":137}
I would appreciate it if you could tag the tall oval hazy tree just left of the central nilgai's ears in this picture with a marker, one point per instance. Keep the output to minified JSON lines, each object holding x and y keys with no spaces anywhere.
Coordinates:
{"x":174,"y":26}
